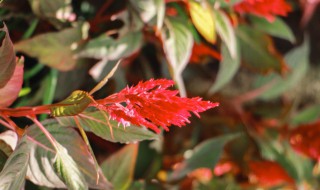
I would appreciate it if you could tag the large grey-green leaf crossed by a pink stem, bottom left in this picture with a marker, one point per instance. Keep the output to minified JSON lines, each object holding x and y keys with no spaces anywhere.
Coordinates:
{"x":73,"y":150}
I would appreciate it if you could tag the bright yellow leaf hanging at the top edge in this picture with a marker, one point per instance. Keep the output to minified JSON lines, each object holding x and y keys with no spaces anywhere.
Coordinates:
{"x":203,"y":19}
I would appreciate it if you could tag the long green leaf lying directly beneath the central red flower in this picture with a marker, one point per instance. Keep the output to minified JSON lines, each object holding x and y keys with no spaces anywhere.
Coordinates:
{"x":96,"y":122}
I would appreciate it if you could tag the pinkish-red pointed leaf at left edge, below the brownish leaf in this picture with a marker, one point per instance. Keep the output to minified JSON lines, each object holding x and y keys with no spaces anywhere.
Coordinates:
{"x":11,"y":90}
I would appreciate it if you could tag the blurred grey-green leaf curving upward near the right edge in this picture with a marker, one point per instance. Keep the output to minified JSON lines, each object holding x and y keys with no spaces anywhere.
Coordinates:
{"x":297,"y":60}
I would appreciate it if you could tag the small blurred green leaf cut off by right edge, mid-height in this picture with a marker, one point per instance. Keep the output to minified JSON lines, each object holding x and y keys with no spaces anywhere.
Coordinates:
{"x":309,"y":114}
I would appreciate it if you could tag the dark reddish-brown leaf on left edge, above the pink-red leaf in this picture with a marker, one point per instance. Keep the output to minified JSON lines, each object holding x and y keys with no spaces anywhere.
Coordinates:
{"x":7,"y":56}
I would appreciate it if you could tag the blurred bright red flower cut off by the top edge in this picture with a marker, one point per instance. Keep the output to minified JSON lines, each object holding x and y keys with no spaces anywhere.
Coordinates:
{"x":263,"y":8}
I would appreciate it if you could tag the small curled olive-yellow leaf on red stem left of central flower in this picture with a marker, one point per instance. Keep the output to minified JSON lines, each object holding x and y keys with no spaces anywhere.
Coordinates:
{"x":74,"y":104}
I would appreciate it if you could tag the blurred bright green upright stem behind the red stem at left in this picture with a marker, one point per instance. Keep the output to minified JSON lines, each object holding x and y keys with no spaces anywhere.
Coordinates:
{"x":49,"y":91}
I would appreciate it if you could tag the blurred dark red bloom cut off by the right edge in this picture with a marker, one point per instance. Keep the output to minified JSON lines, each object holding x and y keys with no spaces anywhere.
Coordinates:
{"x":305,"y":139}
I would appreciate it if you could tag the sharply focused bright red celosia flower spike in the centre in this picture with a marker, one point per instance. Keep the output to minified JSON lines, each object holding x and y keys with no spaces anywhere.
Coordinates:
{"x":152,"y":104}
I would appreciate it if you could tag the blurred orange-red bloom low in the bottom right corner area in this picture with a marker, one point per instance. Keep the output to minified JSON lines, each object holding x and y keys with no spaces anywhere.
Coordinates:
{"x":268,"y":174}
